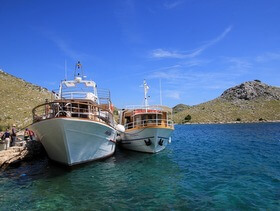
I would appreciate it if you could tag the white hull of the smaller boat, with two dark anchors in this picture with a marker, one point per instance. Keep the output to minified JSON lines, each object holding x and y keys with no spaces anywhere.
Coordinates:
{"x":151,"y":140}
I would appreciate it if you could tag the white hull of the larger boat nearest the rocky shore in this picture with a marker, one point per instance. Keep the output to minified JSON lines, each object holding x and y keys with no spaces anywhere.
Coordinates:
{"x":72,"y":141}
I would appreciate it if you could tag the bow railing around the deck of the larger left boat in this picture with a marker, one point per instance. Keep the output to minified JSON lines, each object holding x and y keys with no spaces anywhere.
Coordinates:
{"x":64,"y":108}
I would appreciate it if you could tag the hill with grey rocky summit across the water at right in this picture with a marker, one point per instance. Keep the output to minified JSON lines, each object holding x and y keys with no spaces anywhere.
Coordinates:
{"x":252,"y":101}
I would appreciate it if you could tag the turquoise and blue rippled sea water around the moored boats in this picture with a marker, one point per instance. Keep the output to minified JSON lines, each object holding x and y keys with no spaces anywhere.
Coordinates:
{"x":232,"y":166}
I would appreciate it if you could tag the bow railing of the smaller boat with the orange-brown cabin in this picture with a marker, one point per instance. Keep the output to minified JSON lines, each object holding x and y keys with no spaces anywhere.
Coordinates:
{"x":150,"y":122}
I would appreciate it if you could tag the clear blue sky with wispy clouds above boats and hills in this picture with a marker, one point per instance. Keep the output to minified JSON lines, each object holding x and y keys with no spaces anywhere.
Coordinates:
{"x":195,"y":49}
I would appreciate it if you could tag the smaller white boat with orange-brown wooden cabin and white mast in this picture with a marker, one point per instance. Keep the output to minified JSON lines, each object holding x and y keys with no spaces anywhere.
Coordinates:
{"x":147,"y":128}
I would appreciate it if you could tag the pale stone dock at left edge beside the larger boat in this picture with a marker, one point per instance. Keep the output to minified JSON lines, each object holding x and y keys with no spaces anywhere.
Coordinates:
{"x":24,"y":151}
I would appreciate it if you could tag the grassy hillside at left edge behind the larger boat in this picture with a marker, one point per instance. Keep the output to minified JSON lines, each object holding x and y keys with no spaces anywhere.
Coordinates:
{"x":18,"y":98}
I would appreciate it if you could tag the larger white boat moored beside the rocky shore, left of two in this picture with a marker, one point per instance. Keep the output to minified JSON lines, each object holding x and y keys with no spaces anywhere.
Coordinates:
{"x":78,"y":126}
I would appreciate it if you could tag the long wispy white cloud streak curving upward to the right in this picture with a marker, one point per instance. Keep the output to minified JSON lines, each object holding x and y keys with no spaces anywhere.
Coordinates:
{"x":161,"y":53}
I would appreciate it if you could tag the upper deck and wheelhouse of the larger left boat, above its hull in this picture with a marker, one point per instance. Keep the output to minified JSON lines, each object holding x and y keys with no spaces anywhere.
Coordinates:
{"x":78,"y":99}
